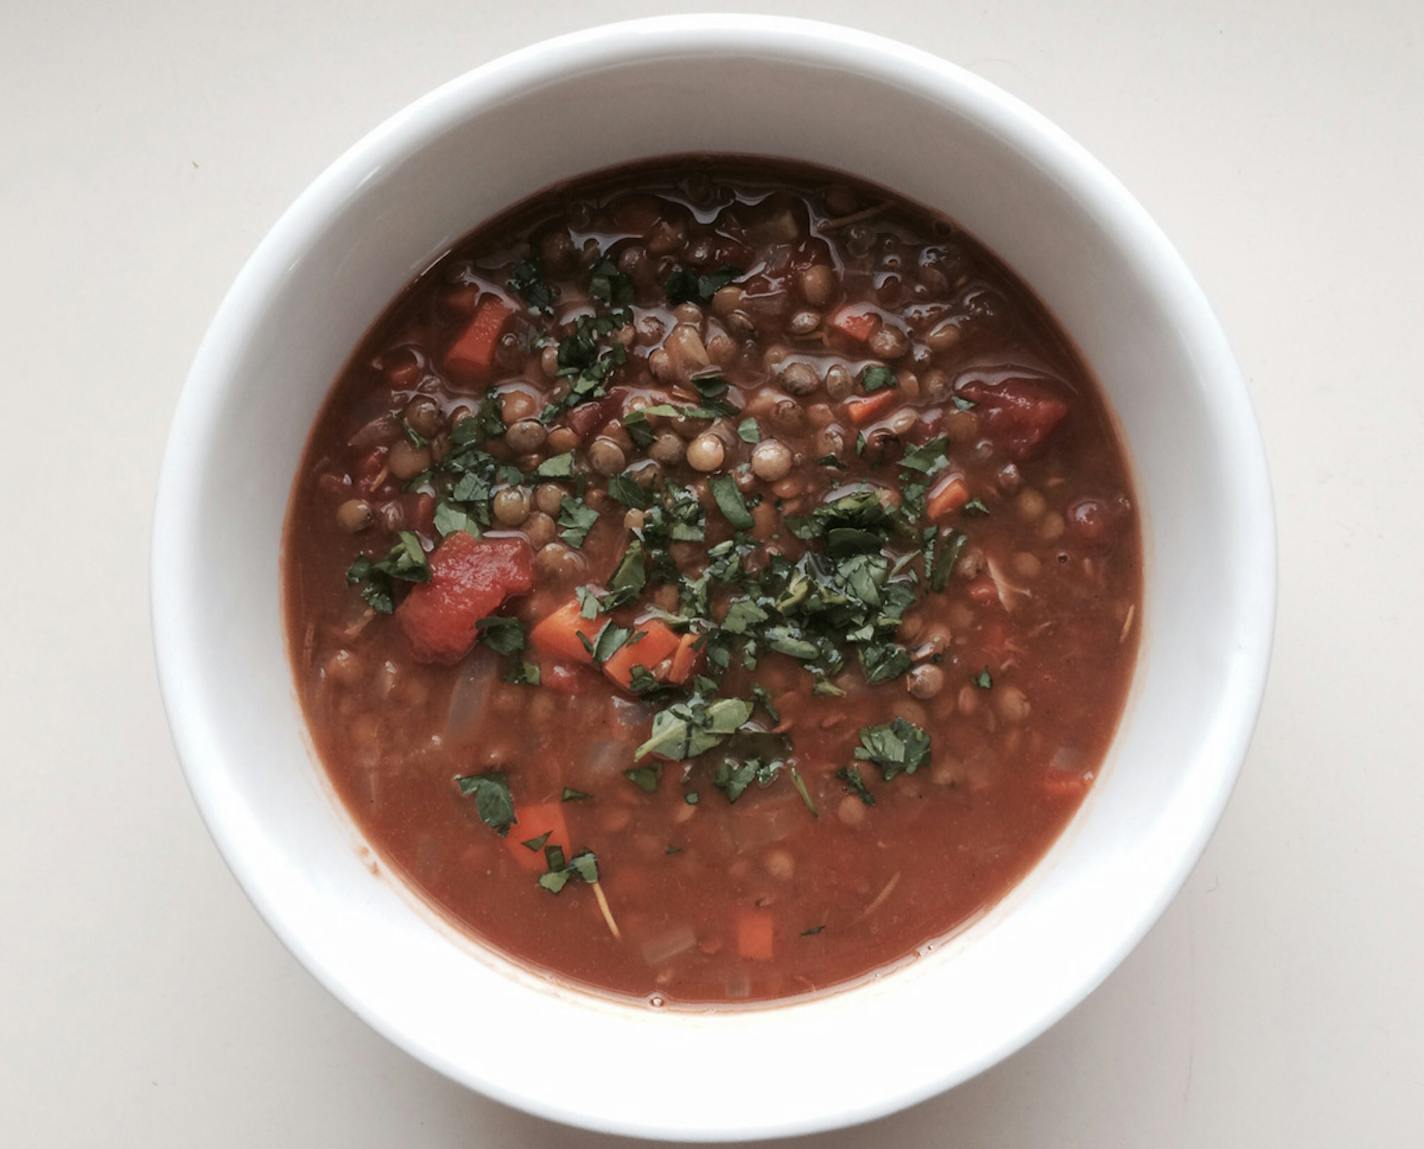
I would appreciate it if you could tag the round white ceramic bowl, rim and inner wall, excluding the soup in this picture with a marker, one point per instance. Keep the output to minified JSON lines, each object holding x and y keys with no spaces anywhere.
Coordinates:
{"x":758,"y":86}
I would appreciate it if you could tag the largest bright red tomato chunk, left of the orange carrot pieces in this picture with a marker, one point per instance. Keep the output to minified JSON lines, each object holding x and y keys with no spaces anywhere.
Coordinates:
{"x":469,"y":580}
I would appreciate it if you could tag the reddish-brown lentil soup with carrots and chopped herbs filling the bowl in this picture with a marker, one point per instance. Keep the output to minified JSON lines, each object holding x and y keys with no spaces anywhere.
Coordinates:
{"x":714,"y":582}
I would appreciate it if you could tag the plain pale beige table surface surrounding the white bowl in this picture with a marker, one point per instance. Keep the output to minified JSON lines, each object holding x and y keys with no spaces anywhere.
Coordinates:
{"x":149,"y":146}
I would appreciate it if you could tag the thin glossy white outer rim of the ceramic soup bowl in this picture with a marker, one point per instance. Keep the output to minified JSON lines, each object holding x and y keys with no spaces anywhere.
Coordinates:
{"x":414,"y":127}
